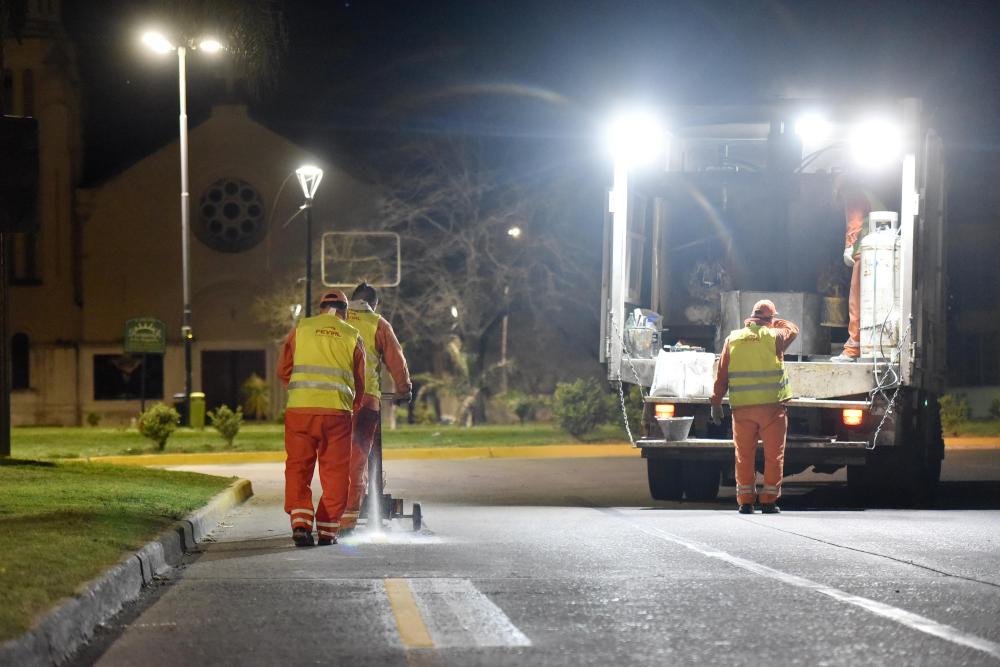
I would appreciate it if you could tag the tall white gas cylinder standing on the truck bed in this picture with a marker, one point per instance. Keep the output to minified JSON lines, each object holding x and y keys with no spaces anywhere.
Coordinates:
{"x":880,"y":293}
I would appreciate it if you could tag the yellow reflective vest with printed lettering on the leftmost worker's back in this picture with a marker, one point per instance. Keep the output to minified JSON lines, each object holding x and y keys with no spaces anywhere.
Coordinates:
{"x":322,"y":369}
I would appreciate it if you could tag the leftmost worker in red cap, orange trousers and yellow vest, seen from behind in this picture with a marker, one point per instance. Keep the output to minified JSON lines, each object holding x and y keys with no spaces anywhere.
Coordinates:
{"x":323,"y":366}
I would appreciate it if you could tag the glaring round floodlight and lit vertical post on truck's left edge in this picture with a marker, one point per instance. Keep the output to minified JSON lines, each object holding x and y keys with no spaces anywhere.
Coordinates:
{"x":635,"y":138}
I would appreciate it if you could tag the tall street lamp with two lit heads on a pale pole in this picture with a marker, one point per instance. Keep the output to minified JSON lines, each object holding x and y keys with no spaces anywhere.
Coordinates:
{"x":160,"y":44}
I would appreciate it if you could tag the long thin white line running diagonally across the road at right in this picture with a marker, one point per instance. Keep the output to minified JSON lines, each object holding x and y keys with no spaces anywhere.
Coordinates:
{"x":901,"y":616}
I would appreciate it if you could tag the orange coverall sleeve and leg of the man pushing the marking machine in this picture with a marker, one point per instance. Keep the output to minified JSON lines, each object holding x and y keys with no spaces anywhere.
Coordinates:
{"x":366,"y":420}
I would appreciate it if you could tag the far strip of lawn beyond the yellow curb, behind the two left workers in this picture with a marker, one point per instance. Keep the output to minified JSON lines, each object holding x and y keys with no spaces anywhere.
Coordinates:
{"x":69,"y":442}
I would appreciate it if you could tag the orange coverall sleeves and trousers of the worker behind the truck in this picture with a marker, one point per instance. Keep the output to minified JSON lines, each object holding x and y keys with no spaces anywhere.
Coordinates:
{"x":752,"y":422}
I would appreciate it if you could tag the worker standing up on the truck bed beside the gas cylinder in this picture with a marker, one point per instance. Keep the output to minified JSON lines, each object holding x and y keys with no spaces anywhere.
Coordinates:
{"x":857,"y":206}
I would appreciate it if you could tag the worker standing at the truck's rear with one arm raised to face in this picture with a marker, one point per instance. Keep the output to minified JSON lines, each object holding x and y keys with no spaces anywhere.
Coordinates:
{"x":752,"y":369}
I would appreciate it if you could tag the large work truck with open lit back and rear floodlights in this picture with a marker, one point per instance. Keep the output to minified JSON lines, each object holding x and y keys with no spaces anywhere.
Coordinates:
{"x":746,"y":203}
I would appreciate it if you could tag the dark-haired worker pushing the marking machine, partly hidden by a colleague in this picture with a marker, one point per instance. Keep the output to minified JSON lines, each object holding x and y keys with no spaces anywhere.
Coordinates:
{"x":381,"y":346}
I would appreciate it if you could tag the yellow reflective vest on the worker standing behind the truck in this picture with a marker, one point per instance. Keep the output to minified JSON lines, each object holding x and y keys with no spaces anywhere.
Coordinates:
{"x":756,"y":375}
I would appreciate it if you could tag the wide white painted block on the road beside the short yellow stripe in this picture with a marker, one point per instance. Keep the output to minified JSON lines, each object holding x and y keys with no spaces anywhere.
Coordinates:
{"x":459,"y":615}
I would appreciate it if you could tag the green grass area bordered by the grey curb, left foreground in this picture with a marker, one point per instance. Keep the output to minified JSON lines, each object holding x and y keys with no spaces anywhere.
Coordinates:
{"x":62,"y":524}
